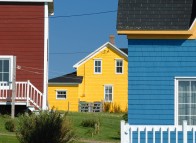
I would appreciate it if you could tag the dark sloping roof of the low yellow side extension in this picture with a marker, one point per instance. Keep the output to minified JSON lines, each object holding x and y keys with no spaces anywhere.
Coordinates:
{"x":70,"y":78}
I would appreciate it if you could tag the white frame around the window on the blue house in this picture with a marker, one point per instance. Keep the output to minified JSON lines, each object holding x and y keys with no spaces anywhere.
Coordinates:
{"x":177,"y":79}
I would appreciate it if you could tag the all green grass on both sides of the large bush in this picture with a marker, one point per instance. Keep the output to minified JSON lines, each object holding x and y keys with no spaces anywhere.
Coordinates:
{"x":109,"y":127}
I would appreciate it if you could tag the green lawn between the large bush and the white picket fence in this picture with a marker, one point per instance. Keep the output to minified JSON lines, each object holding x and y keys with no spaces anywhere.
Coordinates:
{"x":109,"y":128}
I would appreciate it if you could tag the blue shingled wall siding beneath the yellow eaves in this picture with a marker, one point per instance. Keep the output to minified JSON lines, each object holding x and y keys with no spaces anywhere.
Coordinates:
{"x":153,"y":66}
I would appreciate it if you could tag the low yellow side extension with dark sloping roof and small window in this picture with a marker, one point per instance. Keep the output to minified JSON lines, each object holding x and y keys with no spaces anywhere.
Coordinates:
{"x":63,"y":92}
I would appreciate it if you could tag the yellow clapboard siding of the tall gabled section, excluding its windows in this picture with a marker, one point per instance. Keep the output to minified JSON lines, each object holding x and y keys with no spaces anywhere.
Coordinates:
{"x":92,"y":87}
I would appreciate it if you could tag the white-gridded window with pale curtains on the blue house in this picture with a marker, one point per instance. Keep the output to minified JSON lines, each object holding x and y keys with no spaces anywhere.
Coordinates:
{"x":186,"y":101}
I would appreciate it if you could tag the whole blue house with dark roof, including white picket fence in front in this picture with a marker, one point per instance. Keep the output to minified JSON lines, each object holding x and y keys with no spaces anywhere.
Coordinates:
{"x":162,"y":70}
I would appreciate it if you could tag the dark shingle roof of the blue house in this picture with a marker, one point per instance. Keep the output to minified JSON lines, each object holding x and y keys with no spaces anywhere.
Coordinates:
{"x":156,"y":14}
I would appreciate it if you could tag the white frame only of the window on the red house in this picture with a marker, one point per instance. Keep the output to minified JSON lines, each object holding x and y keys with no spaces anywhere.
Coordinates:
{"x":4,"y":85}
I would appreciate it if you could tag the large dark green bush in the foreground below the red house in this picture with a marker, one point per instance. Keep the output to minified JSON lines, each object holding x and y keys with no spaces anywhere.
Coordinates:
{"x":47,"y":127}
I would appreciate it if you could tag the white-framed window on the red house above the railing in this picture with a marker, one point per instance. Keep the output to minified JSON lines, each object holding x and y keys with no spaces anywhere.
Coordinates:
{"x":5,"y":70}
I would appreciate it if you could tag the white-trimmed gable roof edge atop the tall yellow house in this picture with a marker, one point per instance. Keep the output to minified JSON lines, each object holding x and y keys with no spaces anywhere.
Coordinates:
{"x":108,"y":44}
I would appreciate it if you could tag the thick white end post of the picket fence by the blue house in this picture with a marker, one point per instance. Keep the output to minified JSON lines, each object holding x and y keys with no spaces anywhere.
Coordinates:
{"x":124,"y":132}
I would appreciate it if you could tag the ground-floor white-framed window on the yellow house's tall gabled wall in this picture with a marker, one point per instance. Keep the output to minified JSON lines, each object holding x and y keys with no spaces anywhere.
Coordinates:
{"x":108,"y":93}
